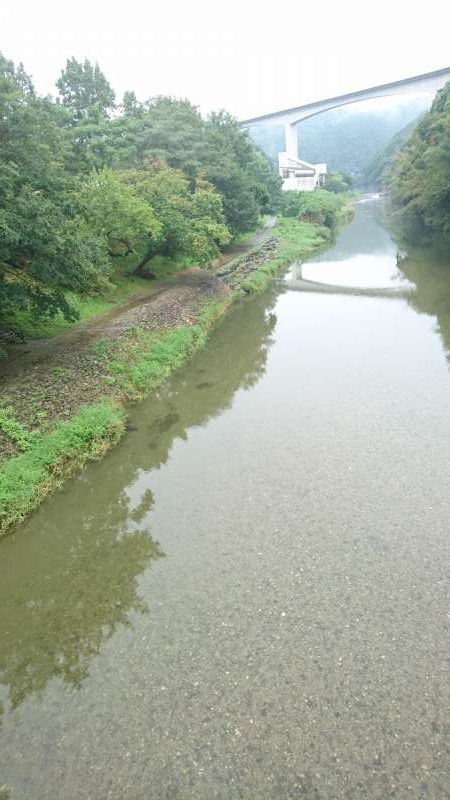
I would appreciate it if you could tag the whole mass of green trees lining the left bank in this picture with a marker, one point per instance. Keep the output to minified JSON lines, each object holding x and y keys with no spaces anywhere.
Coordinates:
{"x":90,"y":185}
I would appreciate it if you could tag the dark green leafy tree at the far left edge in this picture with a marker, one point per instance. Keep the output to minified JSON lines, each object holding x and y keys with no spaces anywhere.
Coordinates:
{"x":45,"y":248}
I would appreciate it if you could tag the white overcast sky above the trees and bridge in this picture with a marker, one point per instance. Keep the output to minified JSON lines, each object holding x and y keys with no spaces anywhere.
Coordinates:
{"x":249,"y":57}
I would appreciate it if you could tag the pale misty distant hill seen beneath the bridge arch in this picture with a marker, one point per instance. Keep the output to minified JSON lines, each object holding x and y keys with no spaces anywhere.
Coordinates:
{"x":347,"y":140}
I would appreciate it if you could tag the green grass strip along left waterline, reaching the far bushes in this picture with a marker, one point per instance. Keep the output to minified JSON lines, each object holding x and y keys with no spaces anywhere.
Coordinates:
{"x":131,"y":366}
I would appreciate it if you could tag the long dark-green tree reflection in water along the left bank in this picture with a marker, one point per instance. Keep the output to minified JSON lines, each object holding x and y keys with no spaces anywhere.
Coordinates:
{"x":70,"y":576}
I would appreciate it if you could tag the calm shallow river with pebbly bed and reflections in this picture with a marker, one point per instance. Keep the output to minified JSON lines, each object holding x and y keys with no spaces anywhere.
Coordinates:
{"x":250,"y":596}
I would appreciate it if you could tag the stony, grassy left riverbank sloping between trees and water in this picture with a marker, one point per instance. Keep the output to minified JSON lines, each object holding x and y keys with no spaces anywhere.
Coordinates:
{"x":65,"y":406}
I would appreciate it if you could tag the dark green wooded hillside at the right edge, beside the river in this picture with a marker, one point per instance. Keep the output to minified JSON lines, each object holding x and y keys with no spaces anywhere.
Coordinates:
{"x":419,"y":182}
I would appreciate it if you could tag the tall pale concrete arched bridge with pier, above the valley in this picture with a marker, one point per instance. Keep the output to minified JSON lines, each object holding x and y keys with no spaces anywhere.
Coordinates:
{"x":428,"y":83}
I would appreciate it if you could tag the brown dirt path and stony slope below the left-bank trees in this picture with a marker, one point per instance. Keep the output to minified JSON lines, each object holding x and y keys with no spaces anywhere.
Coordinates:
{"x":49,"y":379}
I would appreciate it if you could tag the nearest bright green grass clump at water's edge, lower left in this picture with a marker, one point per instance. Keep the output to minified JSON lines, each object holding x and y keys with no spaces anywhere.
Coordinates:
{"x":27,"y":478}
